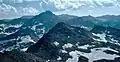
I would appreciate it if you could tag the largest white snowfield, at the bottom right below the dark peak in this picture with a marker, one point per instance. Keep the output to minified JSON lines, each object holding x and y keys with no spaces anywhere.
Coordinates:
{"x":94,"y":55}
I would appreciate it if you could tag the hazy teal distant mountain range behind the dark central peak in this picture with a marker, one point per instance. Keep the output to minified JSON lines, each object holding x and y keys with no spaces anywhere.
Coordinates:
{"x":33,"y":27}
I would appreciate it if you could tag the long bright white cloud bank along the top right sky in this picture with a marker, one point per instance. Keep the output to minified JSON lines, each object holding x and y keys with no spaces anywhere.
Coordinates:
{"x":76,"y":4}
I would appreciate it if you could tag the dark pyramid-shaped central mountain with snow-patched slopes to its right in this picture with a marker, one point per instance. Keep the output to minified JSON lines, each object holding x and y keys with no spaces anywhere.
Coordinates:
{"x":66,"y":43}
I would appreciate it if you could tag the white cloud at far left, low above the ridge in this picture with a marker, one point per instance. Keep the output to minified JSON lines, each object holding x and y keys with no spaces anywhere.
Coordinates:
{"x":8,"y":11}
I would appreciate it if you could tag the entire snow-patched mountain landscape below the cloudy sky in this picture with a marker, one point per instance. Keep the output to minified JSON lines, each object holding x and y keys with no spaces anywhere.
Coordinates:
{"x":60,"y":38}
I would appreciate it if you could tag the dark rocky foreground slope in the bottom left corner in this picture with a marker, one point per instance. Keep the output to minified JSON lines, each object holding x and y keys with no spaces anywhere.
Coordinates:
{"x":17,"y":56}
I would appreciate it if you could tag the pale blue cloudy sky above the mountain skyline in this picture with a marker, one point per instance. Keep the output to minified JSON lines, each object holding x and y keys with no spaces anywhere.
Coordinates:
{"x":18,"y":8}
